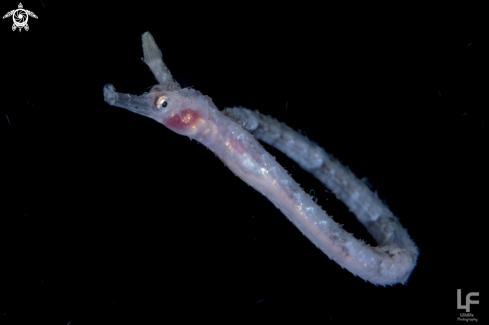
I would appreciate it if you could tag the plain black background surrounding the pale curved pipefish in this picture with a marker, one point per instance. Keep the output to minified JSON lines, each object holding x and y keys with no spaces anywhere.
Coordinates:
{"x":110,"y":217}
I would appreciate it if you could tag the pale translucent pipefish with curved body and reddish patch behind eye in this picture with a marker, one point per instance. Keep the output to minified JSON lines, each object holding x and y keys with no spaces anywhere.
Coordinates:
{"x":188,"y":112}
